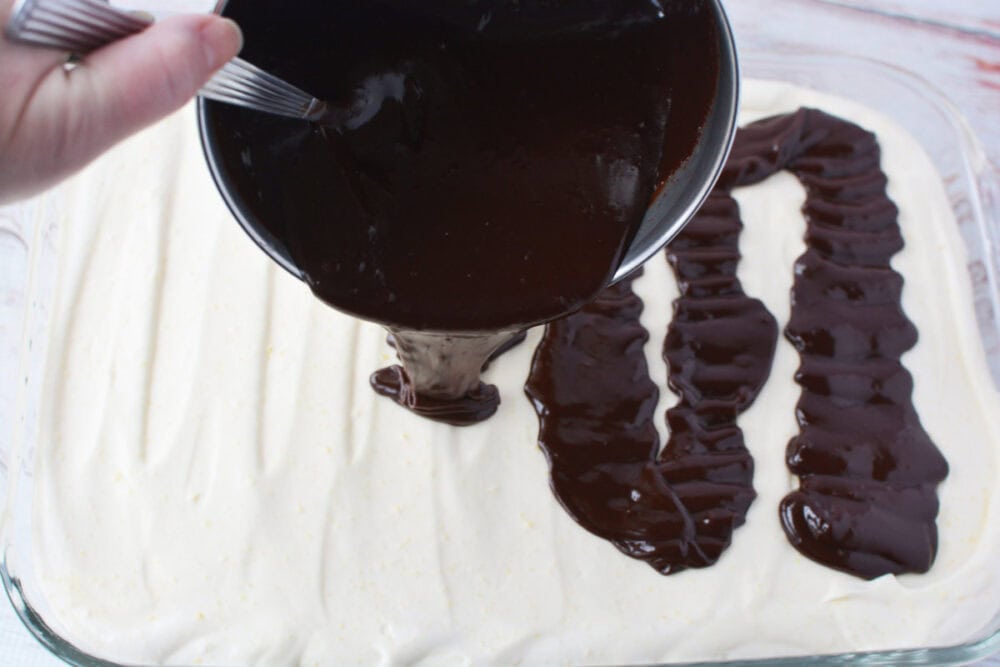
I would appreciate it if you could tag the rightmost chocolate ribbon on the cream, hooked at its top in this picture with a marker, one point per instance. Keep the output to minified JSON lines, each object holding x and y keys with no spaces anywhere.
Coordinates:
{"x":868,"y":471}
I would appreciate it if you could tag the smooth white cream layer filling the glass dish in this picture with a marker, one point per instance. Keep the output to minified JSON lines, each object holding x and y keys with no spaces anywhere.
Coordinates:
{"x":218,"y":484}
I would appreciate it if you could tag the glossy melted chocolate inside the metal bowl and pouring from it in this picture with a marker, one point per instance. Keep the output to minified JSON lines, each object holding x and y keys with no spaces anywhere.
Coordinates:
{"x":497,"y":160}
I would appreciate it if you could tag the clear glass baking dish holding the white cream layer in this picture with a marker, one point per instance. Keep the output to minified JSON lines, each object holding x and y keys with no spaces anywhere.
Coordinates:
{"x":28,"y":260}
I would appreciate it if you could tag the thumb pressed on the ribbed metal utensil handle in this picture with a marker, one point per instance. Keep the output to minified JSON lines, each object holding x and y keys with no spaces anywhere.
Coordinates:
{"x":130,"y":84}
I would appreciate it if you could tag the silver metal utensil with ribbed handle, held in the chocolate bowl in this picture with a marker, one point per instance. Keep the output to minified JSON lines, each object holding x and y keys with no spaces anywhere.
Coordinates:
{"x":81,"y":26}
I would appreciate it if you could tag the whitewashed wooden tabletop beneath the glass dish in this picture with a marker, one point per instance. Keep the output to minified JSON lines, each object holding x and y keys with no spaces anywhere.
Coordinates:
{"x":954,"y":44}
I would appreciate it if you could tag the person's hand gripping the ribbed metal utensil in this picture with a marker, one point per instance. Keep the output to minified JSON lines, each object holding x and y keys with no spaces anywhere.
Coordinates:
{"x":53,"y":121}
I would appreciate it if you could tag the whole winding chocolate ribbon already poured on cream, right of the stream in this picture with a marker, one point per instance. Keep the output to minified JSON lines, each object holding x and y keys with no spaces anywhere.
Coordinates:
{"x":868,"y":471}
